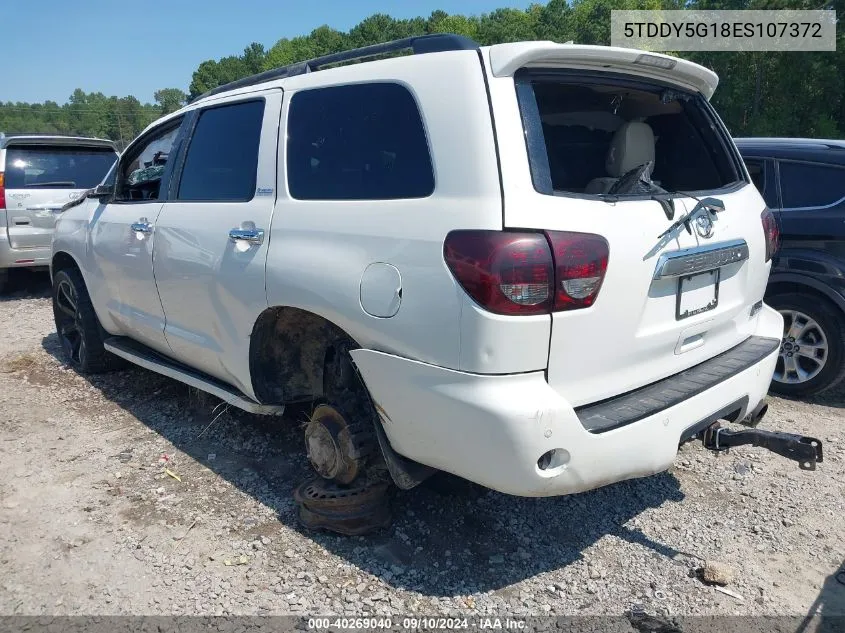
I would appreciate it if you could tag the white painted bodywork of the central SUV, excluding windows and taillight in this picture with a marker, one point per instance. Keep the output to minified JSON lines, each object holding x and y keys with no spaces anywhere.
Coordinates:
{"x":476,"y":394}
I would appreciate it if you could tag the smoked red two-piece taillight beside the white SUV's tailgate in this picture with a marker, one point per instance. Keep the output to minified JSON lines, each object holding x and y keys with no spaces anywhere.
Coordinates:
{"x":527,"y":273}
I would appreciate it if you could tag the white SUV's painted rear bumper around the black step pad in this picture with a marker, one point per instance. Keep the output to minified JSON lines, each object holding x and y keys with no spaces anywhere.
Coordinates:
{"x":493,"y":429}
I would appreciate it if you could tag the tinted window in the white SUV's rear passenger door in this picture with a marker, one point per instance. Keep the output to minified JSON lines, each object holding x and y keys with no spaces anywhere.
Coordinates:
{"x":222,"y":159}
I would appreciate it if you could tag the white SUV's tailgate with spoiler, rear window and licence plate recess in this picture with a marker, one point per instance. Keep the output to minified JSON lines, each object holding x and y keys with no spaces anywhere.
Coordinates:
{"x":645,"y":323}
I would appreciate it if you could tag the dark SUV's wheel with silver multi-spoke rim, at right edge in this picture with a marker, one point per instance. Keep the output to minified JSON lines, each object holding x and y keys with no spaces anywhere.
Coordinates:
{"x":812,"y":351}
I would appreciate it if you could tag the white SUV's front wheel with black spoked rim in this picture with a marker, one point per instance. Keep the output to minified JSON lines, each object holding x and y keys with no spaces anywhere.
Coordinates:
{"x":77,"y":325}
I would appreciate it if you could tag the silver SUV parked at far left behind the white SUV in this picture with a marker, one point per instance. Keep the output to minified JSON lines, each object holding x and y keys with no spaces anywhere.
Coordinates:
{"x":38,"y":175}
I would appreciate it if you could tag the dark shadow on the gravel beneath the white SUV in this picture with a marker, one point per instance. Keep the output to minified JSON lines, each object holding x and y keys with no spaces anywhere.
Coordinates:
{"x":442,"y":529}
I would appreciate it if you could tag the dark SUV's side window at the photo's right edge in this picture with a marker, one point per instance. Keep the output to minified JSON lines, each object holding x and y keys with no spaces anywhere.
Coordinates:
{"x":808,"y":185}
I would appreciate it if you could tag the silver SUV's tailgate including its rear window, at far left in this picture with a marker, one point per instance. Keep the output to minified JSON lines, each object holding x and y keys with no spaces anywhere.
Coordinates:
{"x":40,"y":178}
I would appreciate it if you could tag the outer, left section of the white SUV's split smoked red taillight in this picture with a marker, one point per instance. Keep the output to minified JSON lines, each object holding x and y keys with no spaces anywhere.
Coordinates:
{"x":506,"y":273}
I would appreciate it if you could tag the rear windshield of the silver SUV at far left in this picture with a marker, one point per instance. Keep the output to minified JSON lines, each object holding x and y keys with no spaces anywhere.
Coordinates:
{"x":56,"y":167}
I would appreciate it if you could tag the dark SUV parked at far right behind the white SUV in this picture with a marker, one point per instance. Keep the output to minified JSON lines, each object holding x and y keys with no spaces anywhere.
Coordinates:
{"x":803,"y":182}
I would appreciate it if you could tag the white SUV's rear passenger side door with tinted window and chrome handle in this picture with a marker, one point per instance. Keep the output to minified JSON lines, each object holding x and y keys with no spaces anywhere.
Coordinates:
{"x":211,"y":236}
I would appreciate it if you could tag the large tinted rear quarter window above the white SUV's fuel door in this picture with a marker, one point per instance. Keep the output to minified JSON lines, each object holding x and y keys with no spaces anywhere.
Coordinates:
{"x":362,"y":142}
